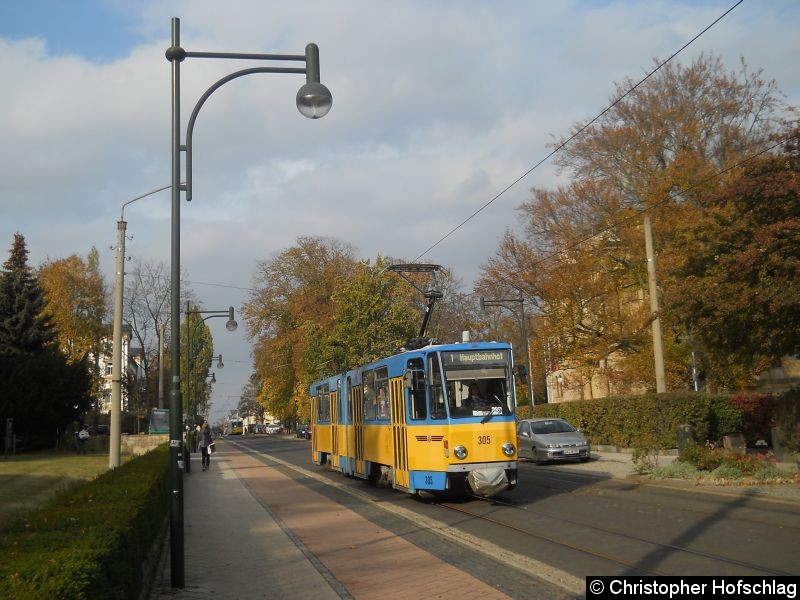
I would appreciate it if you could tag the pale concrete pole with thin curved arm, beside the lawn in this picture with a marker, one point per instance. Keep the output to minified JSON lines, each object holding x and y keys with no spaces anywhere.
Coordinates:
{"x":115,"y":431}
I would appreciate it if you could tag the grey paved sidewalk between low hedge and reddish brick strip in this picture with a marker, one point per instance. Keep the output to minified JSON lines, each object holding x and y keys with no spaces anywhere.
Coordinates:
{"x":233,"y":545}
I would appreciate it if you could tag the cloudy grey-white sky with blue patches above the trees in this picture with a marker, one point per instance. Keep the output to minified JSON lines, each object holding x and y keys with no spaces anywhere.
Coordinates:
{"x":437,"y":108}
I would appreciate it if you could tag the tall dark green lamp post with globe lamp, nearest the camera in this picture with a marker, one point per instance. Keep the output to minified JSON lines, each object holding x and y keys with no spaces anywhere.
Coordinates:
{"x":314,"y":101}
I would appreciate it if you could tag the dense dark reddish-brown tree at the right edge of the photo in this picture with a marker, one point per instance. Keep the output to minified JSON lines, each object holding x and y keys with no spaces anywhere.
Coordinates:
{"x":739,"y":285}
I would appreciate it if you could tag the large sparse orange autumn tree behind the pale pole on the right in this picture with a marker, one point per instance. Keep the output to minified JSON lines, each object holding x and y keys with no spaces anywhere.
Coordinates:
{"x":664,"y":148}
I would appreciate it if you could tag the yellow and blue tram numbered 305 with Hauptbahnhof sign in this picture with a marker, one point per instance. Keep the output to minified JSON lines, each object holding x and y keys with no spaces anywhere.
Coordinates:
{"x":409,"y":420}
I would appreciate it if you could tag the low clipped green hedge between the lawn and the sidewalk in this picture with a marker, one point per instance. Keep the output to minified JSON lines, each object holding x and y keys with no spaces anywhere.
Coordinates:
{"x":91,"y":539}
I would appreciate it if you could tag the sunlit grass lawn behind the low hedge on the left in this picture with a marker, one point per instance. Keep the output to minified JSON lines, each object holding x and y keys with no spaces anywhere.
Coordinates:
{"x":27,"y":480}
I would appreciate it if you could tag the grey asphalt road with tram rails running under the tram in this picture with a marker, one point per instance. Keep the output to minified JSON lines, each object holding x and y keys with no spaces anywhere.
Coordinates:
{"x":561,"y":525}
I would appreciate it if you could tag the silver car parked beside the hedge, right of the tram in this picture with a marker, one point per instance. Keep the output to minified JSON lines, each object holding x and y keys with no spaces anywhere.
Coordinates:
{"x":551,"y":439}
